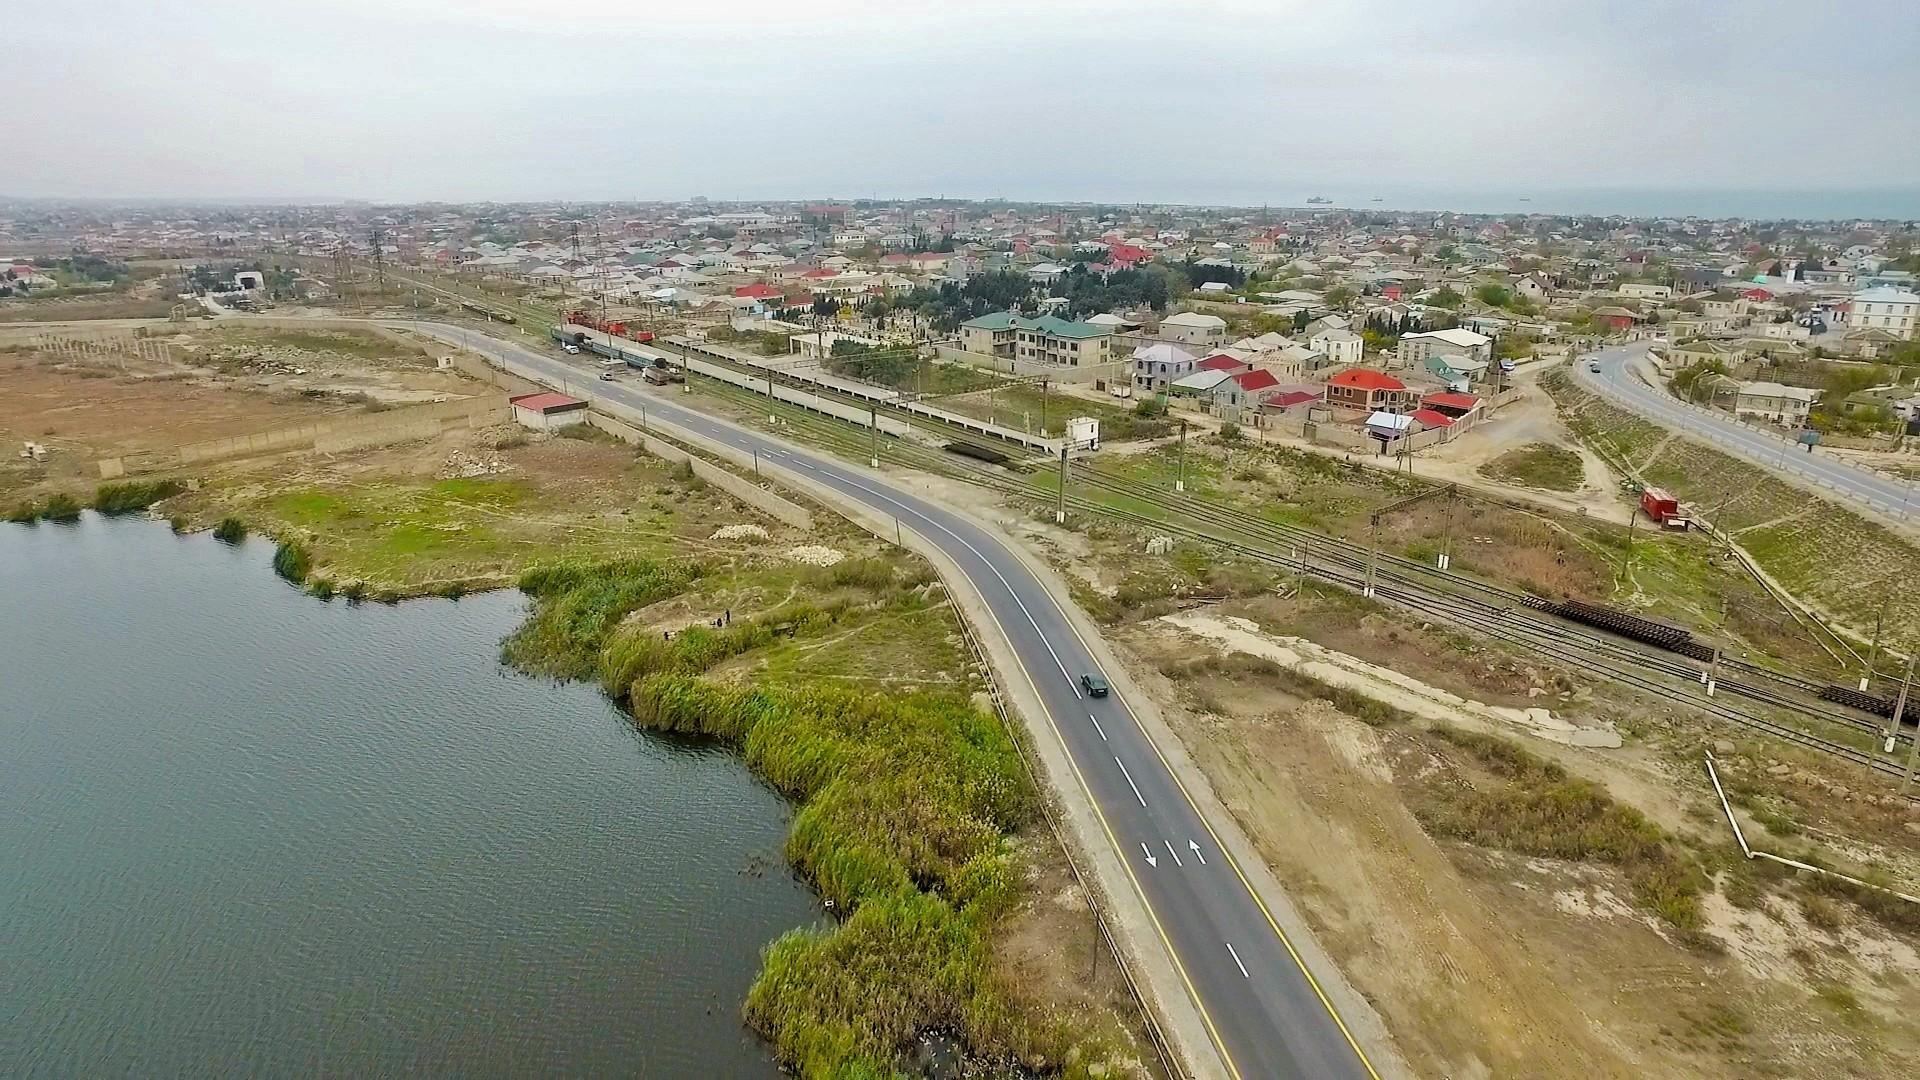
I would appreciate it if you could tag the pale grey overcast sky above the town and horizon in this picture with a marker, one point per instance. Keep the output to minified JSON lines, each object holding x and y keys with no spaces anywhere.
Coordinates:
{"x":1193,"y":101}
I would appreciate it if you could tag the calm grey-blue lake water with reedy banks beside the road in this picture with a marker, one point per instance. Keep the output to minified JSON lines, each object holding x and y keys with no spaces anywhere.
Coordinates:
{"x":251,"y":833}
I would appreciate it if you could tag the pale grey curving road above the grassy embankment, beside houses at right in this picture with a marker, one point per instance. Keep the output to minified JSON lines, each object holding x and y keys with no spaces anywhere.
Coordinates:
{"x":1618,"y":383}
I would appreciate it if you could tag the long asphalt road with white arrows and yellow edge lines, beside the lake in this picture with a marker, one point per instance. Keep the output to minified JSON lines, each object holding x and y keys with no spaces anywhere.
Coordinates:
{"x":1264,"y":1012}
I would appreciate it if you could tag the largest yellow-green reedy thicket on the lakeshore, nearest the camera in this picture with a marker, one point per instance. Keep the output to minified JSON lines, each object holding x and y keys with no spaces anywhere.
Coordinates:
{"x":903,"y":822}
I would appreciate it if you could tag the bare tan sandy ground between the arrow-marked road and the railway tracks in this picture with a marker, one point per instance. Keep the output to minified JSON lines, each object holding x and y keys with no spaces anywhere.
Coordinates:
{"x":1499,"y":966}
